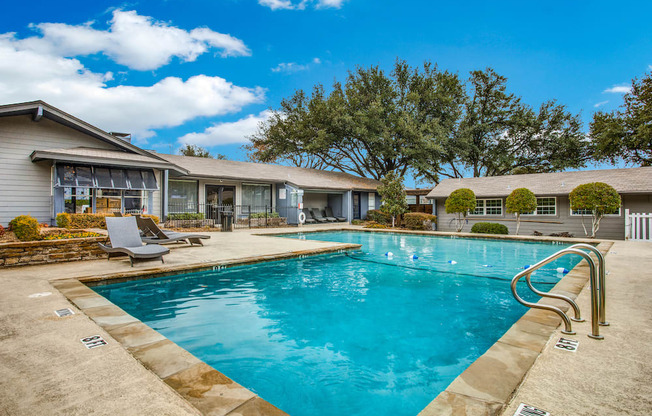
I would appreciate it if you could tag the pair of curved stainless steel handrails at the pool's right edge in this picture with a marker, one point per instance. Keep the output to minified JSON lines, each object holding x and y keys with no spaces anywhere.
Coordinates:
{"x":595,"y":330}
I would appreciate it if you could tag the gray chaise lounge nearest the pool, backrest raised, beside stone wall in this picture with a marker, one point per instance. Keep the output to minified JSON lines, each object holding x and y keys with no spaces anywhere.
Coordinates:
{"x":125,"y":240}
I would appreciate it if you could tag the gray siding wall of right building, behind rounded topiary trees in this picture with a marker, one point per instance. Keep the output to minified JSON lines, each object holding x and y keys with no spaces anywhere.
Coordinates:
{"x":611,"y":227}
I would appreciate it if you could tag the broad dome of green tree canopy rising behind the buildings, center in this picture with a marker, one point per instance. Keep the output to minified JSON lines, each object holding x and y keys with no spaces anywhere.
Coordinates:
{"x":420,"y":120}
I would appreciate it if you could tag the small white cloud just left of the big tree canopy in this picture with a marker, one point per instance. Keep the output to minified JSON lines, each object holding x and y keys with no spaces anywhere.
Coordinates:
{"x":227,"y":133}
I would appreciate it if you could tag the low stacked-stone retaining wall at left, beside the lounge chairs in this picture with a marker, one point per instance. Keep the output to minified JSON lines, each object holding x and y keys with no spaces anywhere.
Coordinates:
{"x":51,"y":251}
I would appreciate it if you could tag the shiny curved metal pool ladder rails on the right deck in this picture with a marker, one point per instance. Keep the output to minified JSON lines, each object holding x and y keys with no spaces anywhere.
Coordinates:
{"x":597,"y":290}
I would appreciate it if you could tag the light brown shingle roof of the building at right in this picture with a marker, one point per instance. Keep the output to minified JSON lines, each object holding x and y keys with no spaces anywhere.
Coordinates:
{"x":625,"y":181}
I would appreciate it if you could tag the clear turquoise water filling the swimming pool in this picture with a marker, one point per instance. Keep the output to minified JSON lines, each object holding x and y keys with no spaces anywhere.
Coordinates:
{"x":355,"y":334}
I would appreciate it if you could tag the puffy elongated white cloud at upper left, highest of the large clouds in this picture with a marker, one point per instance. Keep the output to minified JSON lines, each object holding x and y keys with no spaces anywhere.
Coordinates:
{"x":138,"y":42}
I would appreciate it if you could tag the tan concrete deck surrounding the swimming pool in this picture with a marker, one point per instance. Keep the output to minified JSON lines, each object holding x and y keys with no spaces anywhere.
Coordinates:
{"x":47,"y":370}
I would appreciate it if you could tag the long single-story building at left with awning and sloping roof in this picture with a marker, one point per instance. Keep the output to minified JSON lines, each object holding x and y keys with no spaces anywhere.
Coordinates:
{"x":53,"y":162}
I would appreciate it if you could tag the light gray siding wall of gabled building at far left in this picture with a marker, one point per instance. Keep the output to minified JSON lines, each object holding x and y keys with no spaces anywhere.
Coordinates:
{"x":26,"y":187}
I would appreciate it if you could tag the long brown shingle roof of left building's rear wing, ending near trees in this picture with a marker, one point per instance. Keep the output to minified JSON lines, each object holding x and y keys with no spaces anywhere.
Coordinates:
{"x":302,"y":177}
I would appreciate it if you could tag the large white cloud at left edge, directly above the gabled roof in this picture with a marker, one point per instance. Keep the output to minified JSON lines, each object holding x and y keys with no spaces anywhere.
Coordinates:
{"x":27,"y":75}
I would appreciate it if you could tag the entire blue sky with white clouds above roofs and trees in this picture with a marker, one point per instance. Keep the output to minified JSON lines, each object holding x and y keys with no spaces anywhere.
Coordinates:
{"x":205,"y":71}
